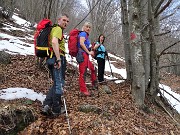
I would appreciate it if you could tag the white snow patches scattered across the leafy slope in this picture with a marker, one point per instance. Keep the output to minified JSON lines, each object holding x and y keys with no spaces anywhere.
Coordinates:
{"x":15,"y":45}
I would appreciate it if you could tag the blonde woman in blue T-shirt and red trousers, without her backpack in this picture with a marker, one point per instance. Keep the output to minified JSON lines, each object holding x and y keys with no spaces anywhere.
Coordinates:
{"x":84,"y":47}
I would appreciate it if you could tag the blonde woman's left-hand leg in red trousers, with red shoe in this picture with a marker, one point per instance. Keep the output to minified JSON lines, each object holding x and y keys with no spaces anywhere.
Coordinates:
{"x":82,"y":71}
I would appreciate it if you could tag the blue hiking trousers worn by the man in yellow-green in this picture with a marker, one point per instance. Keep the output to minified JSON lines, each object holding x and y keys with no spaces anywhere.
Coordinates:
{"x":53,"y":98}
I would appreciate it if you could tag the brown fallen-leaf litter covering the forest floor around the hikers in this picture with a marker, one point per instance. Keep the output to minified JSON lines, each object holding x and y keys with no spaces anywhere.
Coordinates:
{"x":118,"y":116}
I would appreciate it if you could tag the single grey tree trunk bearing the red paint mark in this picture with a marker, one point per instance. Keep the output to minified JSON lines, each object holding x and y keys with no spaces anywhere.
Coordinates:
{"x":138,"y":83}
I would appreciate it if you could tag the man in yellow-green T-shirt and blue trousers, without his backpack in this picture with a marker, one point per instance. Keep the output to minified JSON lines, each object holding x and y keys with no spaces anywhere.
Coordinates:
{"x":53,"y":98}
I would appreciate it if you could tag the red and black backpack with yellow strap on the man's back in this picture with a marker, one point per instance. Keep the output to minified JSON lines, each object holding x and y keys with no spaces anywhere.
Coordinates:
{"x":41,"y":38}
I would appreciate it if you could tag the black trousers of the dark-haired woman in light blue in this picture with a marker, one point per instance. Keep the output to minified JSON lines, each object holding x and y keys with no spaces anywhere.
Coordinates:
{"x":101,"y":67}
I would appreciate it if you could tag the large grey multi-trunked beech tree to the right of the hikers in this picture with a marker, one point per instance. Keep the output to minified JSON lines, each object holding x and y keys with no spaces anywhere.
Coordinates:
{"x":141,"y":24}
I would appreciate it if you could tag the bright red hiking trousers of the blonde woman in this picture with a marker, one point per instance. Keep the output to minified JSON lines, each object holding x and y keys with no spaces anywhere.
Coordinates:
{"x":82,"y":70}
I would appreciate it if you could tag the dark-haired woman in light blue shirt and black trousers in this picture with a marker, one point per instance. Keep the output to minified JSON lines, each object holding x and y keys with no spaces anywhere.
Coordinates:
{"x":101,"y":53}
